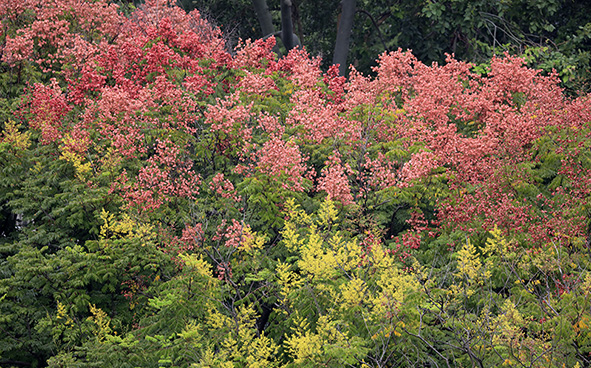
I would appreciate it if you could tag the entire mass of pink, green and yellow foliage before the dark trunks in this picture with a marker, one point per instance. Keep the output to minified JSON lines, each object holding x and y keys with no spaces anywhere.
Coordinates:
{"x":167,"y":203}
